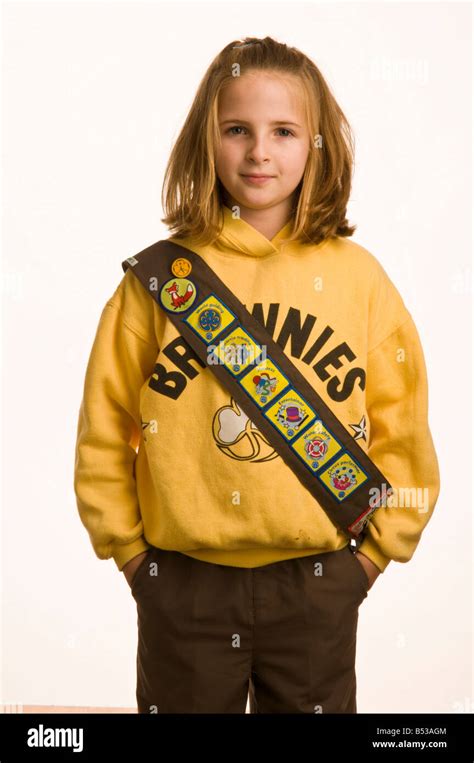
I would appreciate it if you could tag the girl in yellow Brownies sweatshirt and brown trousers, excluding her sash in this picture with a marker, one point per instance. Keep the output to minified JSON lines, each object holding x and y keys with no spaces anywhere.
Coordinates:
{"x":242,"y":583}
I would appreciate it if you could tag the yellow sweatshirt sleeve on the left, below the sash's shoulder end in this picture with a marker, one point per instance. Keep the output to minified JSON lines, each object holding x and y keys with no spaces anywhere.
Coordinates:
{"x":109,"y":433}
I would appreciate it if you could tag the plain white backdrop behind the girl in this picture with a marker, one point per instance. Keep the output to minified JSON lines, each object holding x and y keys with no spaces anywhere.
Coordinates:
{"x":94,"y":95}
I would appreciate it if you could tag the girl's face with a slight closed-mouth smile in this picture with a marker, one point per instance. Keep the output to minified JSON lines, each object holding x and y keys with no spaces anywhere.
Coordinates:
{"x":263,"y":132}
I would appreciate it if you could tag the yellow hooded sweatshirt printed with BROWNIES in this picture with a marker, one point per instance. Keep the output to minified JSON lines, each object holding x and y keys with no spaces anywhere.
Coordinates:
{"x":180,"y":466}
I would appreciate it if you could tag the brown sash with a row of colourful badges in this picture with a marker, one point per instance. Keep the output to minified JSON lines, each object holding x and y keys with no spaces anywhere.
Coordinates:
{"x":267,"y":386}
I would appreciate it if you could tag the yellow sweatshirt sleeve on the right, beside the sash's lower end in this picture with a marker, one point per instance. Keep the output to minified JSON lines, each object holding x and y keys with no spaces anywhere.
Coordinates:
{"x":400,"y":444}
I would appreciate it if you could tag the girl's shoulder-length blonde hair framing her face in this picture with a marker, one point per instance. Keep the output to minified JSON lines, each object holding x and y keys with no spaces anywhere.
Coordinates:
{"x":192,"y":193}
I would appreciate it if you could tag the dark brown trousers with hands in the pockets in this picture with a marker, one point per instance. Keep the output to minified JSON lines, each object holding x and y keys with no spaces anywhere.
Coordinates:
{"x":283,"y":635}
